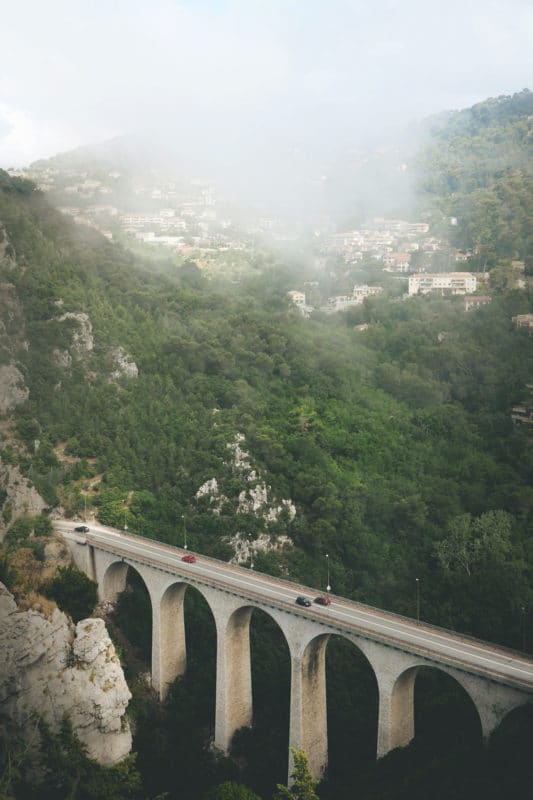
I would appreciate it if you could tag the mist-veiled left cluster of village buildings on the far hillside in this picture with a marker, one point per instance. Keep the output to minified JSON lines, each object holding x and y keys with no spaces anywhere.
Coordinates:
{"x":179,"y":215}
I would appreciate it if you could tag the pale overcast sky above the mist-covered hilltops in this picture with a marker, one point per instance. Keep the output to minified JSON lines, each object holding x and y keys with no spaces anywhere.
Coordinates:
{"x":221,"y":72}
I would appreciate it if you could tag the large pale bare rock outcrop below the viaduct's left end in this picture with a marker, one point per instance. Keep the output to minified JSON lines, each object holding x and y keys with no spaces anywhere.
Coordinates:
{"x":55,"y":669}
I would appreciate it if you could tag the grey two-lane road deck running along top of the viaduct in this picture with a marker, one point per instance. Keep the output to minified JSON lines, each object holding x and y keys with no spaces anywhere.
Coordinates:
{"x":342,"y":616}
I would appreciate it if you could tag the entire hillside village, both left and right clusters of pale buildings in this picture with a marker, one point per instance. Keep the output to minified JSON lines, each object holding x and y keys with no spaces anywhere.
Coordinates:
{"x":191,"y":218}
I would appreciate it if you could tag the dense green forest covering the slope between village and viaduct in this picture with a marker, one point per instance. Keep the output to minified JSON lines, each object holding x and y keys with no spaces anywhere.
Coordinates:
{"x":381,"y":441}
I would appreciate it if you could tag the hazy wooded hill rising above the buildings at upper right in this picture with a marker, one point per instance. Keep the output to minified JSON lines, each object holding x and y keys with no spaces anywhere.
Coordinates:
{"x":477,"y":167}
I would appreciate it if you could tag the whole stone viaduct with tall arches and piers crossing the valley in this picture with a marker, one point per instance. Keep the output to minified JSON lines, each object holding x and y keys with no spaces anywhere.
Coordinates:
{"x":496,"y":680}
